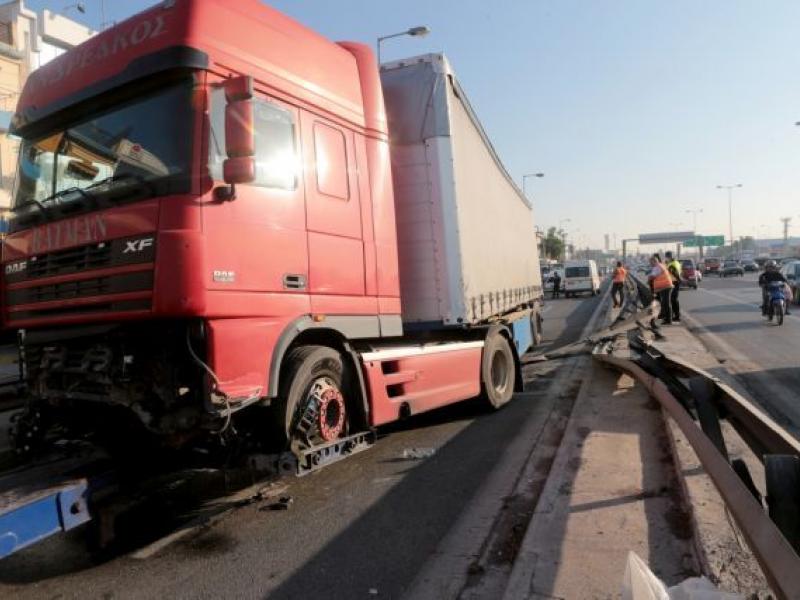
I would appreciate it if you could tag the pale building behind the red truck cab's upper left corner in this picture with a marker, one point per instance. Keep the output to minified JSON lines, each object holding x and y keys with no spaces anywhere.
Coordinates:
{"x":27,"y":41}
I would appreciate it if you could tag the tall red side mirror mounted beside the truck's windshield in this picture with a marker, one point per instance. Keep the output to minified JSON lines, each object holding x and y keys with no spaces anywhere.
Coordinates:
{"x":240,"y":139}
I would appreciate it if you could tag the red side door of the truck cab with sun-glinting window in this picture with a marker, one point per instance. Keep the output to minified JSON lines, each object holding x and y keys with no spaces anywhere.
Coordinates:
{"x":258,"y":242}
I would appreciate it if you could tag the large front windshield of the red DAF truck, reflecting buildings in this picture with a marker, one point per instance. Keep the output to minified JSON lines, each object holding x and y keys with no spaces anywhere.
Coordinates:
{"x":146,"y":140}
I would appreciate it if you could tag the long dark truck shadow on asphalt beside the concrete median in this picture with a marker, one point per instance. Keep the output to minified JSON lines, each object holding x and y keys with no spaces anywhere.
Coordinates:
{"x":391,"y":542}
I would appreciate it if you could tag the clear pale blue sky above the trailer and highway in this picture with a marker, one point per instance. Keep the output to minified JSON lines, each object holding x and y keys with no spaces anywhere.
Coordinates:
{"x":634,"y":110}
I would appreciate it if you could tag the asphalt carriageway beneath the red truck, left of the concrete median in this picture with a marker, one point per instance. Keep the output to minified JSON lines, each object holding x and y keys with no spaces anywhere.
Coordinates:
{"x":362,"y":528}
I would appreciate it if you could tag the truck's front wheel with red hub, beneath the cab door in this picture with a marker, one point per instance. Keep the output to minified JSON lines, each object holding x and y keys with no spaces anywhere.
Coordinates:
{"x":312,"y":407}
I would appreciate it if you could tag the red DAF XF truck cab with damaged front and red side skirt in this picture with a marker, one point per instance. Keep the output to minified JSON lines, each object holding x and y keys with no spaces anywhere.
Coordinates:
{"x":204,"y":220}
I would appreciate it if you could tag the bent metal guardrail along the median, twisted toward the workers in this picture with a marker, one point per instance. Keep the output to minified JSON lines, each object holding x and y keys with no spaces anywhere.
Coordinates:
{"x":697,"y":401}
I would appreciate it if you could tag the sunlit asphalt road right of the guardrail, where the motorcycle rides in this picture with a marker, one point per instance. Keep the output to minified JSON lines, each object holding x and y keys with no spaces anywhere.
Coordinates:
{"x":764,"y":358}
